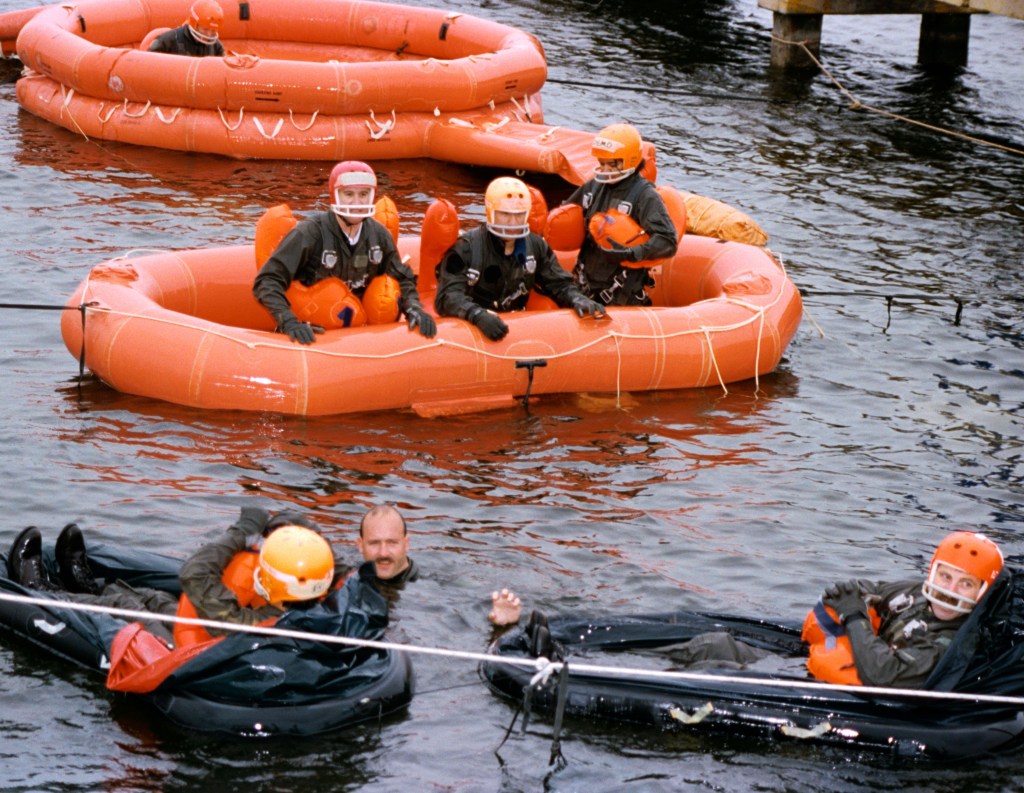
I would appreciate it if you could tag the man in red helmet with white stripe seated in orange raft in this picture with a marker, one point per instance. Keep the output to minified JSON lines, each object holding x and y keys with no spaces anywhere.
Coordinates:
{"x":347,"y":244}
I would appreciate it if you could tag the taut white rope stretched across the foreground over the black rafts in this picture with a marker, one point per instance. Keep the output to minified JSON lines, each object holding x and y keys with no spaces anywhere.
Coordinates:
{"x":544,"y":667}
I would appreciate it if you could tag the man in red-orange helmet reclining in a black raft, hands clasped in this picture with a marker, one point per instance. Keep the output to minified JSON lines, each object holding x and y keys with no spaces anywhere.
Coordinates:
{"x":889,"y":635}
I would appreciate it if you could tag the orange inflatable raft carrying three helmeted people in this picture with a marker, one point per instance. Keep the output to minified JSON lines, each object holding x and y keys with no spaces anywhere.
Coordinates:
{"x":724,"y":312}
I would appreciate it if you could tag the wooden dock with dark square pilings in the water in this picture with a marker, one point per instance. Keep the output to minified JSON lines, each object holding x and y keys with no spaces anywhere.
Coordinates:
{"x":946,"y":26}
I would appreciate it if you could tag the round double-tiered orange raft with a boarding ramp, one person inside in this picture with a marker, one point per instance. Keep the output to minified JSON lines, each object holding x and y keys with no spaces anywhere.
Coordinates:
{"x":304,"y":79}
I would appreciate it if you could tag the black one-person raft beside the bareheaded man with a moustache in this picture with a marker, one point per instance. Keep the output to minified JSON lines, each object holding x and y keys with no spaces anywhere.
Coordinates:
{"x":245,"y":685}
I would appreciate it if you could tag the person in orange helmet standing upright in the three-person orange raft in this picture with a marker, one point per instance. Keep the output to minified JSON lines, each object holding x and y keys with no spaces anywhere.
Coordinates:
{"x":603,"y":272}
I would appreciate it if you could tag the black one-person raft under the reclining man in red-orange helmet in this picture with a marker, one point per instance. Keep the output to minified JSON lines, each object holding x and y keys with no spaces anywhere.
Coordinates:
{"x":985,"y":661}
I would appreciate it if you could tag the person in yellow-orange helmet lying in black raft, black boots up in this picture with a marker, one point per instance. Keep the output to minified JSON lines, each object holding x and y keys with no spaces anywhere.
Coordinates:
{"x":270,"y":564}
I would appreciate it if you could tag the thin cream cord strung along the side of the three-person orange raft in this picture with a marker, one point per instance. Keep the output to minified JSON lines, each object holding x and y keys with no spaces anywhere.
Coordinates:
{"x":758,"y":313}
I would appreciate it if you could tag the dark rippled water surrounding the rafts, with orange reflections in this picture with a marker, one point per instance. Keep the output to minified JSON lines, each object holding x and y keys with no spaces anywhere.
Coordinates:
{"x":864,"y":450}
